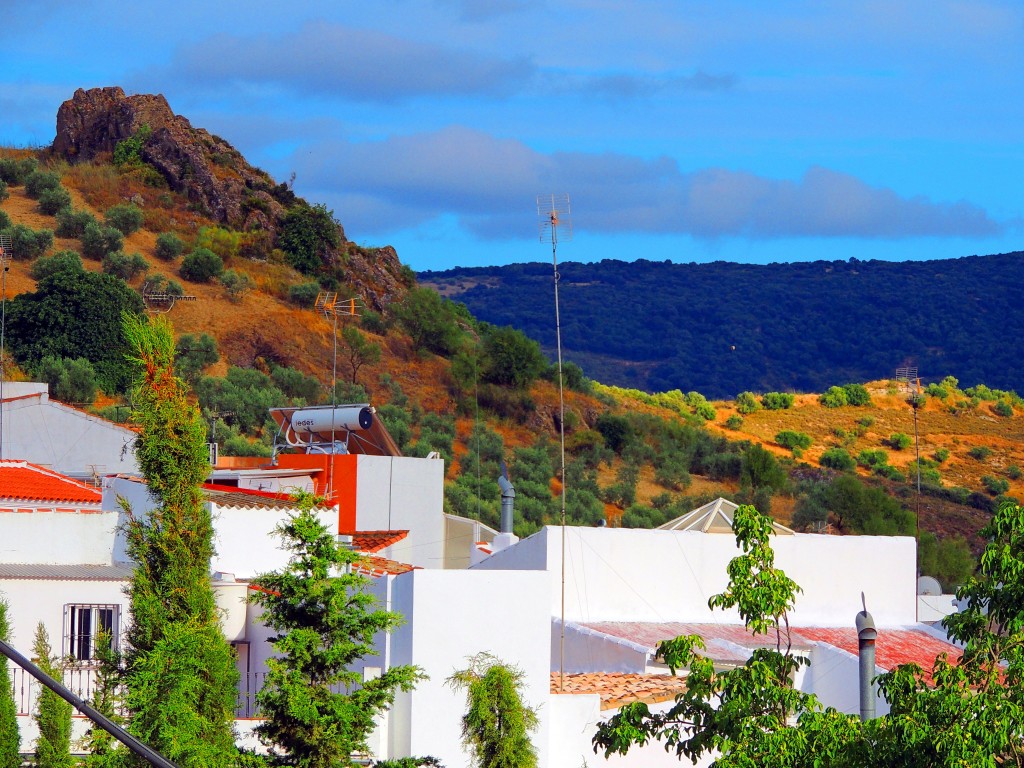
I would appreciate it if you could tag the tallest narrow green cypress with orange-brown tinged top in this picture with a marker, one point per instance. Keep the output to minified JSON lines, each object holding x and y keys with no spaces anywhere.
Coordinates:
{"x":180,"y":671}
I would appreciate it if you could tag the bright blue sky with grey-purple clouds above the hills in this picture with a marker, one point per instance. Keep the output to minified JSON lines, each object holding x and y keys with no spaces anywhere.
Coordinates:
{"x":692,"y":132}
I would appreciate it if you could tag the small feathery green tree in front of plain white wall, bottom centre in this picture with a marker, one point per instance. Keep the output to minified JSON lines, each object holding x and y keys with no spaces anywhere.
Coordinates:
{"x":497,"y":726}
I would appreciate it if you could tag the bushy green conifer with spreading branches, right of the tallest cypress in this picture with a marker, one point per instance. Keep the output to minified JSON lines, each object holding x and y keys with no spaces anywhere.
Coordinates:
{"x":325,"y":620}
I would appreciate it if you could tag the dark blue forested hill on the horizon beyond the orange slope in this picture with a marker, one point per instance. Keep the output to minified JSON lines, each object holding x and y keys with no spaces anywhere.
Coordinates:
{"x":722,"y":328}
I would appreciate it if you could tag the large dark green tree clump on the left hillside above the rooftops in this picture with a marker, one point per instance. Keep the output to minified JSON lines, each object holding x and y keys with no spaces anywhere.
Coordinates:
{"x":75,"y":314}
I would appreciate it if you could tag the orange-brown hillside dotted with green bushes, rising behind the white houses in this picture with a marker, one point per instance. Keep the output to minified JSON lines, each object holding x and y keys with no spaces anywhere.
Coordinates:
{"x":476,"y":394}
